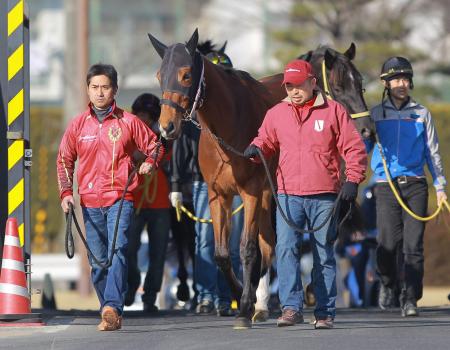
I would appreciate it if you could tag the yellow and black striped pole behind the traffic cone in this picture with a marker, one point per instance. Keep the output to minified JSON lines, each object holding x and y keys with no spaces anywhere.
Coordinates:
{"x":17,"y":121}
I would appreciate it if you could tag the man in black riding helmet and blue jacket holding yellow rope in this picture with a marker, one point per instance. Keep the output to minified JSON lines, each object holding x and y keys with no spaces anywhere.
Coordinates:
{"x":409,"y":140}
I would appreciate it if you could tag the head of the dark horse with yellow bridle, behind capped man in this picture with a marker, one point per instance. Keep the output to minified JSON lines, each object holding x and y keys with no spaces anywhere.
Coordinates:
{"x":340,"y":80}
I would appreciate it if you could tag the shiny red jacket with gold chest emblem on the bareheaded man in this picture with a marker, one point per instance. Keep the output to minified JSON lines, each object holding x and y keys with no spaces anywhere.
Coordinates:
{"x":104,"y":152}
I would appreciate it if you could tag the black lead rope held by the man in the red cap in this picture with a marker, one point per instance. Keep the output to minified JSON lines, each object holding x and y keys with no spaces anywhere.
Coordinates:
{"x":301,"y":230}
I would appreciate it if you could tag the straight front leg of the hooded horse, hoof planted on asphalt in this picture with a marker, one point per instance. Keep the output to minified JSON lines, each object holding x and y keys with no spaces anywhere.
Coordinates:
{"x":251,"y":261}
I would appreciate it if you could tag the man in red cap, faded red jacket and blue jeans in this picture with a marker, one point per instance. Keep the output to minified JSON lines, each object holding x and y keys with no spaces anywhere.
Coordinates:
{"x":311,"y":134}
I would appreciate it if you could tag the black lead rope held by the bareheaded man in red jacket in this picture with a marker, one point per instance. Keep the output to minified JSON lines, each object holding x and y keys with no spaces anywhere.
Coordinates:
{"x":70,"y":216}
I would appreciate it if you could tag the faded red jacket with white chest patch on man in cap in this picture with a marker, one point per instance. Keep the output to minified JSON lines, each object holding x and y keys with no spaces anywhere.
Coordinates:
{"x":311,"y":142}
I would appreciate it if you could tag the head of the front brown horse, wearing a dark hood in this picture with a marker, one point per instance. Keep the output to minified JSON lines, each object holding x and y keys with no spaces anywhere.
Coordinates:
{"x":180,"y":77}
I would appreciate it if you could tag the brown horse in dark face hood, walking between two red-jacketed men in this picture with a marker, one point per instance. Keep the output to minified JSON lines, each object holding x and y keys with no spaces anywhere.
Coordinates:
{"x":233,"y":105}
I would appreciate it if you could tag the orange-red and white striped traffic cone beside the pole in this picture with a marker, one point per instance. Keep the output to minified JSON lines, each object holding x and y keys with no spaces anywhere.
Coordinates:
{"x":14,"y":296}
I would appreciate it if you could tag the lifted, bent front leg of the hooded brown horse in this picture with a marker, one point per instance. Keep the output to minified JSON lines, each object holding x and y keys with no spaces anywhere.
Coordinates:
{"x":220,"y":208}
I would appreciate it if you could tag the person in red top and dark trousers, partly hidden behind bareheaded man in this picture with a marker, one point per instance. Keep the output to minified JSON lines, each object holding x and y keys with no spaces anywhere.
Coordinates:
{"x":152,"y":210}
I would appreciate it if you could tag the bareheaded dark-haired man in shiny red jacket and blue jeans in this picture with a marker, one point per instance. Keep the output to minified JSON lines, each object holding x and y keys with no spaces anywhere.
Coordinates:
{"x":103,"y":139}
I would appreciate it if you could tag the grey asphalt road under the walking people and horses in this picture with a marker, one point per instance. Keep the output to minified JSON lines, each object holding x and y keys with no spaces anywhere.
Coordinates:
{"x":354,"y":329}
